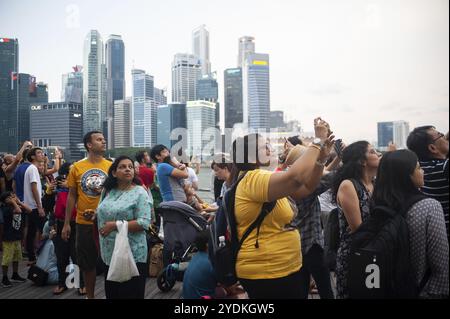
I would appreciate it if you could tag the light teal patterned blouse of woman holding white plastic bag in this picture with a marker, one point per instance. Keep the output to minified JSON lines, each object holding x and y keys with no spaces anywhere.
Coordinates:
{"x":132,"y":204}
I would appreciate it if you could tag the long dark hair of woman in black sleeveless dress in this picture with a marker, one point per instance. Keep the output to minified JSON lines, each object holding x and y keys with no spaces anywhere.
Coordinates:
{"x":353,"y":157}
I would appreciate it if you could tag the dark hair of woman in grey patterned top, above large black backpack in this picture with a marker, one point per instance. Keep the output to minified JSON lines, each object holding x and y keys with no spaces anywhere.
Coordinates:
{"x":394,"y":184}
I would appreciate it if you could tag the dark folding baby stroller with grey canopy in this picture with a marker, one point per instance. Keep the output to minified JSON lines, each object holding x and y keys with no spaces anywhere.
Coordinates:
{"x":181,"y":223}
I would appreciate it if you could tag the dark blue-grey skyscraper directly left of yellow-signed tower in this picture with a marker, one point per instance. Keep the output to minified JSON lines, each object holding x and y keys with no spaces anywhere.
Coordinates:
{"x":233,"y":97}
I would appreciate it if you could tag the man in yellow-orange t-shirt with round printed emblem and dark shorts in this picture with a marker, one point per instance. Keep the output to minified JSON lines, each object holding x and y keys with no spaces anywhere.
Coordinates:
{"x":85,"y":181}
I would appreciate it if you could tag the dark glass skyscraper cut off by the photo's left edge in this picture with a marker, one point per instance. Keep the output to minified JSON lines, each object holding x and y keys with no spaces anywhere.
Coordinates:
{"x":9,"y":68}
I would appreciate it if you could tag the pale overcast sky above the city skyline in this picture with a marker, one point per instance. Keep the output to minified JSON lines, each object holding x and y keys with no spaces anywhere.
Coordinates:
{"x":353,"y":62}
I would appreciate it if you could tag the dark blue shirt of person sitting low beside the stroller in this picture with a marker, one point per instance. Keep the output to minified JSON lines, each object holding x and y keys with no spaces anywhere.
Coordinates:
{"x":199,"y":279}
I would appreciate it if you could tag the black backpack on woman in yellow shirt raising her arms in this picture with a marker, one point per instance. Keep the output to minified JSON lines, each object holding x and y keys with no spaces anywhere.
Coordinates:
{"x":224,"y":258}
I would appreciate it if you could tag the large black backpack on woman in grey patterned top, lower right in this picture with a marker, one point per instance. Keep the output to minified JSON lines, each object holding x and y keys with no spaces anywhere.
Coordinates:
{"x":379,"y":261}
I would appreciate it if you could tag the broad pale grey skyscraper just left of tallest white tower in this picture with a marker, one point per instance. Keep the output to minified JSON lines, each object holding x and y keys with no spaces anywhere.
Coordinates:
{"x":186,"y":70}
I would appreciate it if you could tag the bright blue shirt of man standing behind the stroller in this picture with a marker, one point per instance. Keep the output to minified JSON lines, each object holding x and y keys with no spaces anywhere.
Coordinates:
{"x":171,"y":188}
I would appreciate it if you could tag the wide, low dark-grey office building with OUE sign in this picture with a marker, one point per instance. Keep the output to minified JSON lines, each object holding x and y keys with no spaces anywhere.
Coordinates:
{"x":65,"y":131}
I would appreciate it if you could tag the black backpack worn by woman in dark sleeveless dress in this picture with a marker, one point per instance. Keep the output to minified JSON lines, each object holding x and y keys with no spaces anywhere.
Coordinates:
{"x":332,"y":235}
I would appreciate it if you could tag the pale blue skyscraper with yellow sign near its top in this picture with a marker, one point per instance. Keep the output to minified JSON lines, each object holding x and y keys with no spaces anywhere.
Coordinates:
{"x":256,"y":91}
